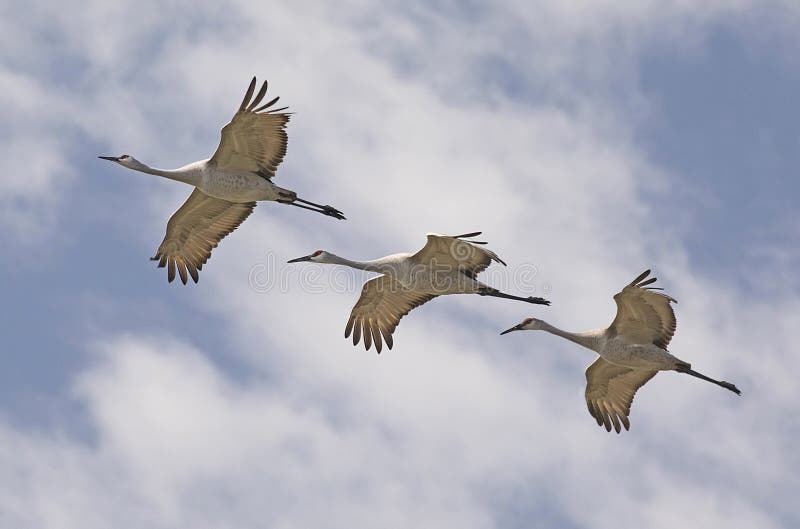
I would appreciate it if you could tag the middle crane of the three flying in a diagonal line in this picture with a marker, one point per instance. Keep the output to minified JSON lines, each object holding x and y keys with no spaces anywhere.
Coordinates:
{"x":445,"y":265}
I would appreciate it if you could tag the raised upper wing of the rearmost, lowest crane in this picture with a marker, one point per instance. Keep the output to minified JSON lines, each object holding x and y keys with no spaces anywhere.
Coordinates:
{"x":644,"y":316}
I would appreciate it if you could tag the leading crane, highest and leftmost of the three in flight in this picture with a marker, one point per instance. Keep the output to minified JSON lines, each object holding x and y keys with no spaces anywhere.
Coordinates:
{"x":227,"y":185}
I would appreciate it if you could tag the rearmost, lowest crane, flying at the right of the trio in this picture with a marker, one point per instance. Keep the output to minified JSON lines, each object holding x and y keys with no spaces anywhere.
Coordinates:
{"x":632,"y":350}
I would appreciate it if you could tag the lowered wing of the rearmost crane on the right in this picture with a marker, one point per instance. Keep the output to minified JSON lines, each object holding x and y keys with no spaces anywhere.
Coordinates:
{"x":609,"y":392}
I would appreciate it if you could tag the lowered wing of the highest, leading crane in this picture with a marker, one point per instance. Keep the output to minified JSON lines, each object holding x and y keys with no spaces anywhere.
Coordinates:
{"x":194,"y":230}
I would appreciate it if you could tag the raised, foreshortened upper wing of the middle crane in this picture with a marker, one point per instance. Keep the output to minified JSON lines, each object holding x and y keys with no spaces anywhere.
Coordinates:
{"x":455,"y":251}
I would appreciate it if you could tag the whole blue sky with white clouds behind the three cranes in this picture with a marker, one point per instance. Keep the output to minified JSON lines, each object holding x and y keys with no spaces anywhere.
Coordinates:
{"x":587,"y":140}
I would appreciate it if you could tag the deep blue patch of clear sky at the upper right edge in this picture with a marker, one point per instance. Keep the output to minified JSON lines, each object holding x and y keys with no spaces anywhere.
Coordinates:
{"x":726,"y":126}
